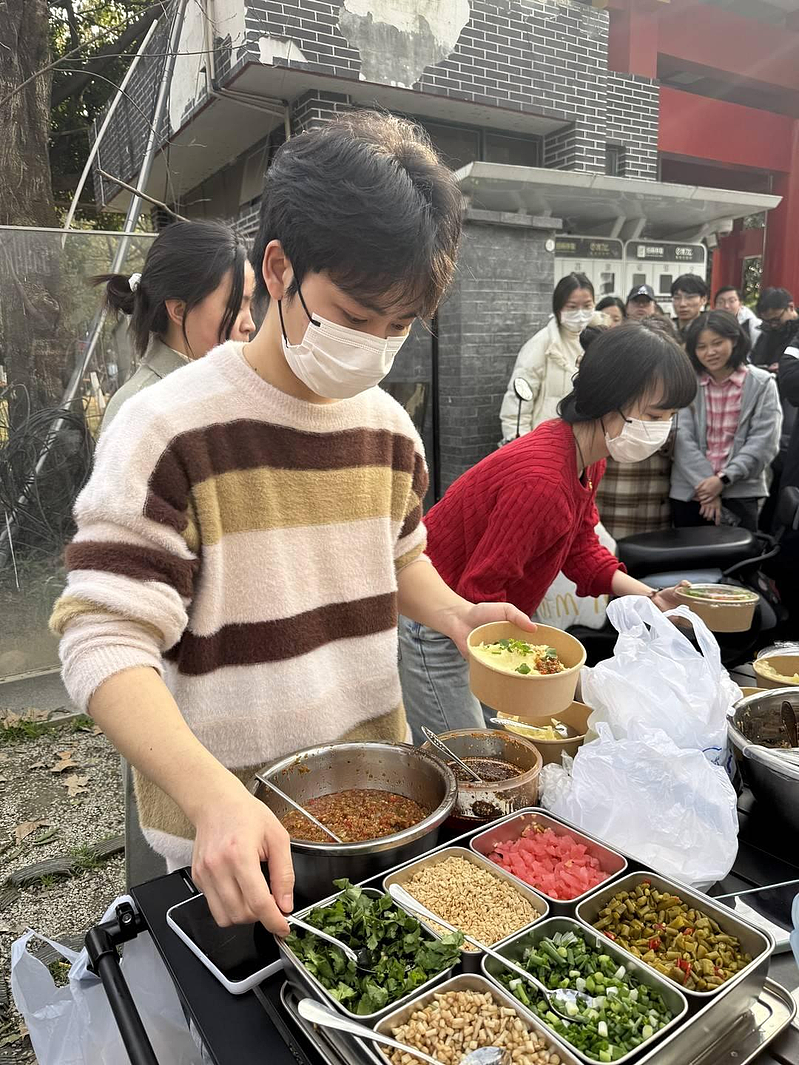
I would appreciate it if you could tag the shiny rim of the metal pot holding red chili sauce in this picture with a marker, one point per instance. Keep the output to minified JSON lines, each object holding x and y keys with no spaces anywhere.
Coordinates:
{"x":434,"y":820}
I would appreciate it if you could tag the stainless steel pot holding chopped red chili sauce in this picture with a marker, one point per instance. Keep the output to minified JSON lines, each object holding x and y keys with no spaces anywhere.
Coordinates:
{"x":337,"y":767}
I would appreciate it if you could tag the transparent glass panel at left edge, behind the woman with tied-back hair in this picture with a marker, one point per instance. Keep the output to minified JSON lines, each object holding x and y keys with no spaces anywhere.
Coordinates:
{"x":47,"y":307}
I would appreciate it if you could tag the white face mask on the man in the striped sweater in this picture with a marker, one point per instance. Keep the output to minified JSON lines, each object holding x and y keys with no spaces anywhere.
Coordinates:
{"x":337,"y":363}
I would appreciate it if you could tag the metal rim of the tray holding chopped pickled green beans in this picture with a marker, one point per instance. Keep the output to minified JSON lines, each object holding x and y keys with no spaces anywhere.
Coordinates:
{"x":745,"y":985}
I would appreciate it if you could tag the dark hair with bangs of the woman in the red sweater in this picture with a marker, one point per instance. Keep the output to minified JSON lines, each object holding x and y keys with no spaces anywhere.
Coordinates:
{"x":625,"y":366}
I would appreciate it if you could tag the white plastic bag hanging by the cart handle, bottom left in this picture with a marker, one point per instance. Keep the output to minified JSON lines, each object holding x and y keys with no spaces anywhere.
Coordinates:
{"x":74,"y":1025}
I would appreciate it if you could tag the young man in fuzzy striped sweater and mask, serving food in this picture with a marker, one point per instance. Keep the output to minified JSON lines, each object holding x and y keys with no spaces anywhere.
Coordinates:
{"x":253,"y":526}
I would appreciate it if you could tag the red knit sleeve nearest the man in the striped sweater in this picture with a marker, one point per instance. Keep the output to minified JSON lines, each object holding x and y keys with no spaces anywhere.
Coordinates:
{"x":527,"y":522}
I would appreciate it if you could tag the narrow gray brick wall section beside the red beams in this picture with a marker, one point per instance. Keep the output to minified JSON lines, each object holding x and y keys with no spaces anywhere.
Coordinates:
{"x":633,"y":110}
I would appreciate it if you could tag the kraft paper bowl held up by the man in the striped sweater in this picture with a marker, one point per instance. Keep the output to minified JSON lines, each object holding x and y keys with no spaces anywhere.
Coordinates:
{"x":531,"y":697}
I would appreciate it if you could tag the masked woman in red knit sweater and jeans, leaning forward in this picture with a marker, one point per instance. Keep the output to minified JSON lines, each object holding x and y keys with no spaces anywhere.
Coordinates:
{"x":510,"y":526}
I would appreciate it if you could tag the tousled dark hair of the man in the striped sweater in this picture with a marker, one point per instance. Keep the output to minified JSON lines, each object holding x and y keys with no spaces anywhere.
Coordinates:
{"x":367,"y":201}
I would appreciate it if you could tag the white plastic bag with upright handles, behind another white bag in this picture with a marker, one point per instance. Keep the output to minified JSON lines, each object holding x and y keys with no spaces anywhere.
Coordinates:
{"x":657,"y":678}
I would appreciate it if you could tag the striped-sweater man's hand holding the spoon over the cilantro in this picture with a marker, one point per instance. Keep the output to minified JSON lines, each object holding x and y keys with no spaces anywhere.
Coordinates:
{"x":236,"y":832}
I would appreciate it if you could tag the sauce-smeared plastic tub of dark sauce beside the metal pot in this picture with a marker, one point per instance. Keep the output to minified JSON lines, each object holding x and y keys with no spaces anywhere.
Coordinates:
{"x":487,"y":751}
